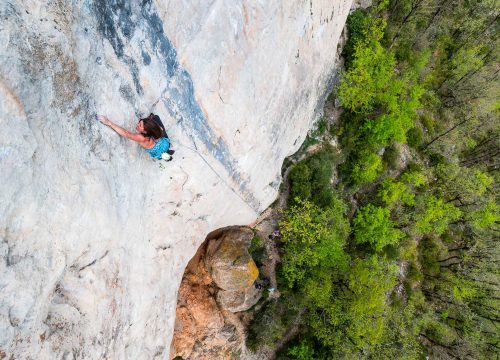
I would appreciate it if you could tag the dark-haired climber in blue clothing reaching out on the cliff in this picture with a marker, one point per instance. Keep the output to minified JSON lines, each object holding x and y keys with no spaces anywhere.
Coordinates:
{"x":151,"y":135}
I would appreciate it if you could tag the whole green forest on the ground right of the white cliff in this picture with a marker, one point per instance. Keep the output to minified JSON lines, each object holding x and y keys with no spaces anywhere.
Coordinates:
{"x":389,"y":241}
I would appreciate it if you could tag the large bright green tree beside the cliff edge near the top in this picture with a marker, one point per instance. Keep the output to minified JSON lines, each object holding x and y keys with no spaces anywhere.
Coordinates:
{"x":373,"y":84}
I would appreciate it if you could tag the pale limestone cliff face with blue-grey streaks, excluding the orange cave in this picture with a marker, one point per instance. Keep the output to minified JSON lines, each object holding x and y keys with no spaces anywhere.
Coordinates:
{"x":94,"y":237}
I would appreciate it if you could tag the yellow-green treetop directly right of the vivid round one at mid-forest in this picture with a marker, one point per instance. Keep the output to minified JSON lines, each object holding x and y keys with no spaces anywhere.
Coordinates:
{"x":434,"y":214}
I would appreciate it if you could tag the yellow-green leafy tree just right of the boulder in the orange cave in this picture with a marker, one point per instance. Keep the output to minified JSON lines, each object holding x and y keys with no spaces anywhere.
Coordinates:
{"x":313,"y":238}
